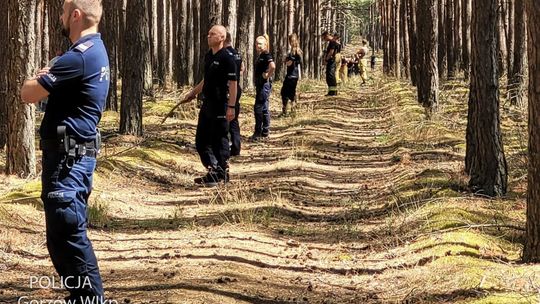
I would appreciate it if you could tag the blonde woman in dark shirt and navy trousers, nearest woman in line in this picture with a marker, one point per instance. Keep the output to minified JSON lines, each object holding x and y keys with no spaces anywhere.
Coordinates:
{"x":264,"y":70}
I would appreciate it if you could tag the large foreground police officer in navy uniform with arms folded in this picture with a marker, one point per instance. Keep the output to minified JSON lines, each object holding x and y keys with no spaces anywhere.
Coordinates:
{"x":76,"y":86}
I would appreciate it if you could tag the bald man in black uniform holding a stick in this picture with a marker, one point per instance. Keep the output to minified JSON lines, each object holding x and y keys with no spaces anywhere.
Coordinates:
{"x":219,"y":88}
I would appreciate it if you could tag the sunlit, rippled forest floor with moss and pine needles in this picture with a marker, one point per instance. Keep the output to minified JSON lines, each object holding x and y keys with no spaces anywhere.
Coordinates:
{"x":355,"y":199}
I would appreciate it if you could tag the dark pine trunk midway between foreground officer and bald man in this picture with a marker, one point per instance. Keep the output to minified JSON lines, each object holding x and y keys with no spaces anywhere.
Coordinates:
{"x":135,"y":47}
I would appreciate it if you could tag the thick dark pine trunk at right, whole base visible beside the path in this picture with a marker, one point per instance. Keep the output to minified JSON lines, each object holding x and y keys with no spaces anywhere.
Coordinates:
{"x":485,"y":160}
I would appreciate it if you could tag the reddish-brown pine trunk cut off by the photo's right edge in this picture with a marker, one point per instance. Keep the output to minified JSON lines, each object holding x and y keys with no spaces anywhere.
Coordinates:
{"x":531,"y":250}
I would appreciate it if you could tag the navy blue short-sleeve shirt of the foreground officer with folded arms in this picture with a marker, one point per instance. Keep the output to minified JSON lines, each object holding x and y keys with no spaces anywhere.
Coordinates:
{"x":78,"y":84}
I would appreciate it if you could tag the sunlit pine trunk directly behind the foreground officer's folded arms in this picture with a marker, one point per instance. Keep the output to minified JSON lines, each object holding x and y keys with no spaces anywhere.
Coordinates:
{"x":21,"y":152}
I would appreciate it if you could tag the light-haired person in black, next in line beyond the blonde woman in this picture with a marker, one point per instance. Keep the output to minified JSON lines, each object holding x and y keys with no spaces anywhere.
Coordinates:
{"x":293,"y":62}
